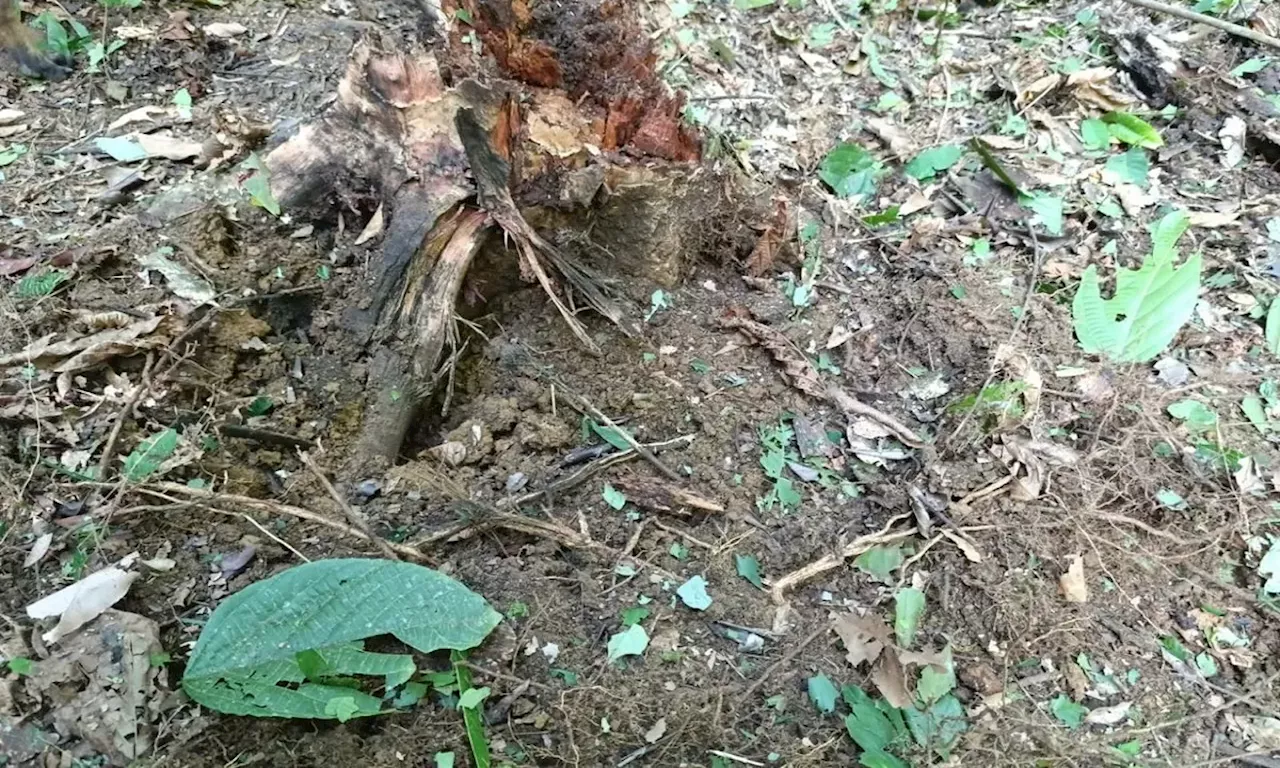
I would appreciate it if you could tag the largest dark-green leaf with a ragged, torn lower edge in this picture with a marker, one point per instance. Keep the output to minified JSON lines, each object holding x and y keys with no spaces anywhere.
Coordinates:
{"x":252,"y":643}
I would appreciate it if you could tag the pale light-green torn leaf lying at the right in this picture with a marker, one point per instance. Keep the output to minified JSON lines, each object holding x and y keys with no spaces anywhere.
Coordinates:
{"x":1150,"y":305}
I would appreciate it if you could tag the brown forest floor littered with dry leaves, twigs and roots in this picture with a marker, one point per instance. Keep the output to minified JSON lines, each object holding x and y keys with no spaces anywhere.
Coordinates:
{"x":1096,"y":545}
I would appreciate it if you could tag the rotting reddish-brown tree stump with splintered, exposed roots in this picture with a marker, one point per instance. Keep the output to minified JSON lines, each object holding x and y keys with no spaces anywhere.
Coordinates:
{"x":556,"y":141}
